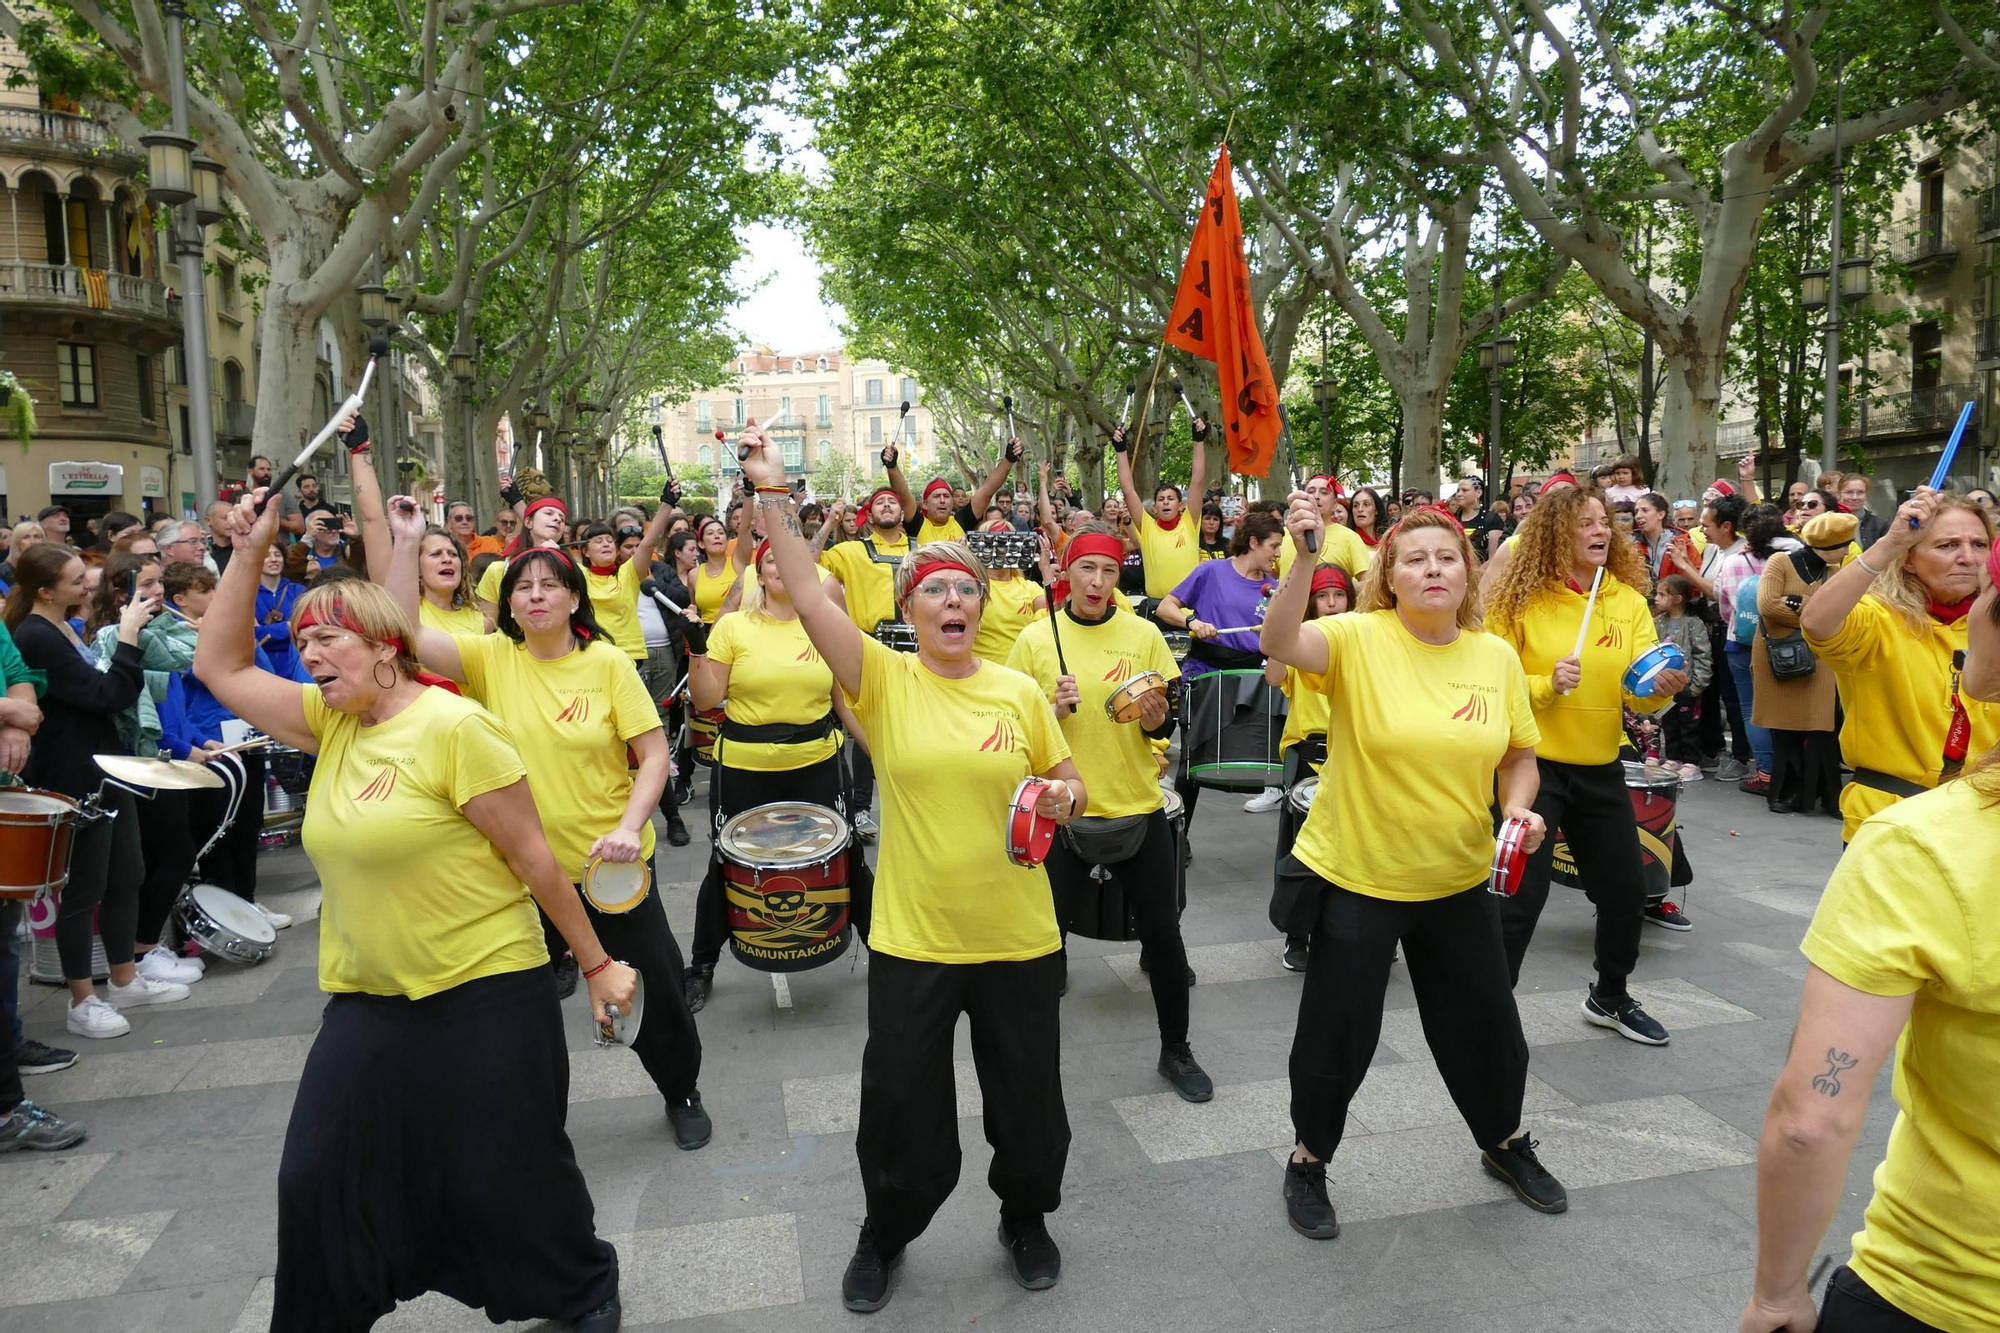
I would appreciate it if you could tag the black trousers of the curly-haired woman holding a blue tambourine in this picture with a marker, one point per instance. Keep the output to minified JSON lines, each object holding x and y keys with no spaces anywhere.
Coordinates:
{"x":1595,"y":814}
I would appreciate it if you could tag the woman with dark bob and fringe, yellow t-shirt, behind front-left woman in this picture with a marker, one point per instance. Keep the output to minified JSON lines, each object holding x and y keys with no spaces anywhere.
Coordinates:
{"x":577,"y":710}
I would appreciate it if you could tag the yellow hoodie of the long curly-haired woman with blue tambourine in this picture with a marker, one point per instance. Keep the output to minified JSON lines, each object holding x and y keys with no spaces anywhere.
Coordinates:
{"x":1585,"y":728}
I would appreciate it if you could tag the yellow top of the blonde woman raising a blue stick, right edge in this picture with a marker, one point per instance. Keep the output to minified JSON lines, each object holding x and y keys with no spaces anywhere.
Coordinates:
{"x":1897,"y":690}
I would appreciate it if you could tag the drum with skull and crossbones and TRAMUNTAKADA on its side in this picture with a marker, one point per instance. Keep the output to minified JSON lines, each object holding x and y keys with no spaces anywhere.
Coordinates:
{"x":785,"y":878}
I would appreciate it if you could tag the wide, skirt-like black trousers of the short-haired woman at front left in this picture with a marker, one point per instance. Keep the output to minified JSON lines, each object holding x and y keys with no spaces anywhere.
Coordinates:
{"x":427,"y":1152}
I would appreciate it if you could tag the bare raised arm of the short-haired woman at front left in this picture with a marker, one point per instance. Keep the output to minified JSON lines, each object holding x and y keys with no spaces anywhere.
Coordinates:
{"x":225,"y":653}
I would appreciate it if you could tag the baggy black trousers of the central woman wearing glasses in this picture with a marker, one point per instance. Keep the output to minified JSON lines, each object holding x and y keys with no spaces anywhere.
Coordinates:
{"x":909,"y":1130}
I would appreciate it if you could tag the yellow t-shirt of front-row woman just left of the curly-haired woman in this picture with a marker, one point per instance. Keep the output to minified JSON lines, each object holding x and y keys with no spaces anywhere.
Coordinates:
{"x":1415,"y":732}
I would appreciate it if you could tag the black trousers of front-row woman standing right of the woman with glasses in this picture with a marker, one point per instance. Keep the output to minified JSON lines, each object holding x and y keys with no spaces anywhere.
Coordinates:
{"x":1463,"y":994}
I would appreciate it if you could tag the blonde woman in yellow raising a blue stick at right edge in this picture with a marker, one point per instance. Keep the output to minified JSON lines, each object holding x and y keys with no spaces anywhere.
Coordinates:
{"x":1893,"y":627}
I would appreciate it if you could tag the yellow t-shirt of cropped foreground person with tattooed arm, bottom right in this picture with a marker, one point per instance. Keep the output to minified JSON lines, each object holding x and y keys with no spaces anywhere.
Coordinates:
{"x":1911,"y":912}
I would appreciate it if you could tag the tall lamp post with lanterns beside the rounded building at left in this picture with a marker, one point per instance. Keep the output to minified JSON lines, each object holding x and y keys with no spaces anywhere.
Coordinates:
{"x":175,"y":183}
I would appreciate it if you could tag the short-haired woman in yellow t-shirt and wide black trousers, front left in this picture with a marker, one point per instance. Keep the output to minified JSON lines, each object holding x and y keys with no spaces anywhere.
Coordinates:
{"x":443,"y":1010}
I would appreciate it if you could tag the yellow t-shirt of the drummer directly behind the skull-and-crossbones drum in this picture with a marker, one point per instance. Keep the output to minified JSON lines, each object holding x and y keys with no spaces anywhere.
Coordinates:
{"x":775,"y":678}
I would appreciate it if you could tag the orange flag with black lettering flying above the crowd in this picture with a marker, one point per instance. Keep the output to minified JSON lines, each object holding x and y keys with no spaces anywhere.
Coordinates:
{"x":1215,"y":319}
